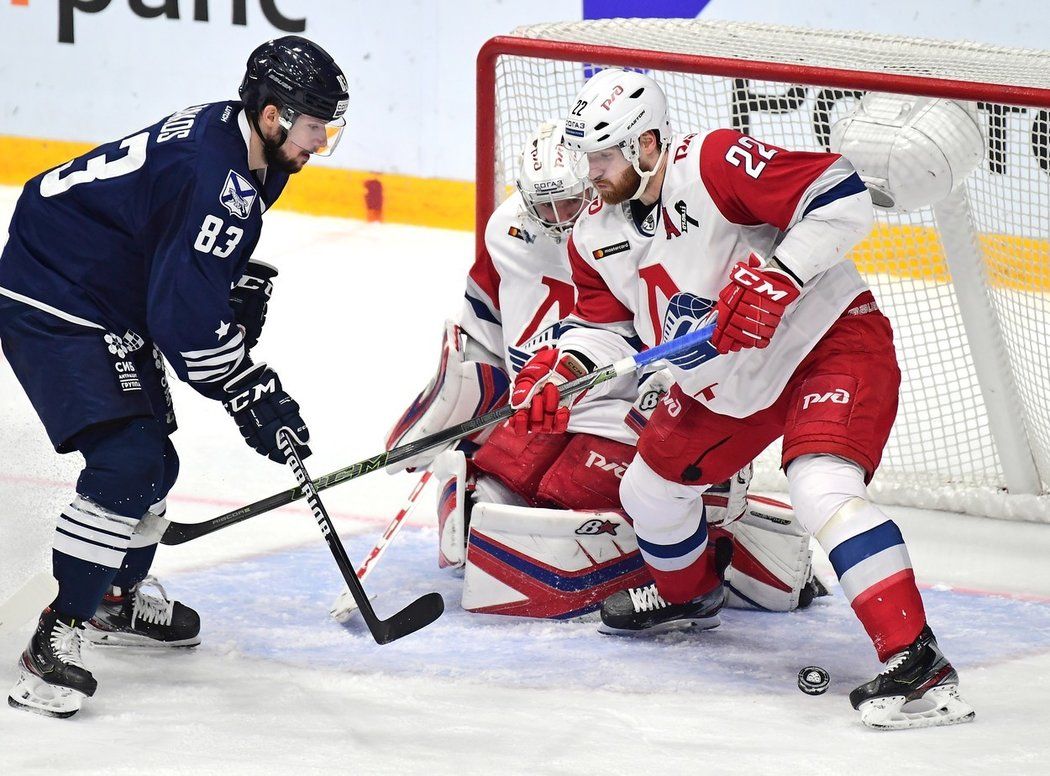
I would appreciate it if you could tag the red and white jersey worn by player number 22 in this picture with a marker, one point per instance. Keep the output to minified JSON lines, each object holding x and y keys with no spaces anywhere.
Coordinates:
{"x":724,"y":196}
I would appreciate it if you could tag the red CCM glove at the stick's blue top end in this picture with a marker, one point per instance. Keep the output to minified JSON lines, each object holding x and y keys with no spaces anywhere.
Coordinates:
{"x":752,"y":305}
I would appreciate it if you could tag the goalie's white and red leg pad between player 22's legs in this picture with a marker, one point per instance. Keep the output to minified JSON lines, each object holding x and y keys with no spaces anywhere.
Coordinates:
{"x":772,"y":560}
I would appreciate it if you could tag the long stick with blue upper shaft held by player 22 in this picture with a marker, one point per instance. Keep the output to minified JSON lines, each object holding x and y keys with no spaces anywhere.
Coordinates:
{"x":179,"y":533}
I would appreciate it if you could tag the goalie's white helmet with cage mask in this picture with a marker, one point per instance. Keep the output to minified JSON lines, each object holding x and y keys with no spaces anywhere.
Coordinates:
{"x":553,"y":181}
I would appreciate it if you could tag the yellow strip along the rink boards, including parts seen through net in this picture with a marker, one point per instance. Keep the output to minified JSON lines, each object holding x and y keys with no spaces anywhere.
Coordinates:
{"x":915,"y":253}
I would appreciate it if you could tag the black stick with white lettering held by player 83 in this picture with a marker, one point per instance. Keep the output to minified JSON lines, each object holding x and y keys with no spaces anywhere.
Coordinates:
{"x":418,"y":615}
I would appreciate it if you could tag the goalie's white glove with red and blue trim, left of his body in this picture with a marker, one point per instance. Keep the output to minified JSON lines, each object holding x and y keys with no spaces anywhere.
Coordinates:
{"x":461,"y":390}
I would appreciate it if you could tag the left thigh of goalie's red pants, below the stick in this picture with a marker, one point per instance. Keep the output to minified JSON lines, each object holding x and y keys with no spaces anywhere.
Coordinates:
{"x":520,"y":463}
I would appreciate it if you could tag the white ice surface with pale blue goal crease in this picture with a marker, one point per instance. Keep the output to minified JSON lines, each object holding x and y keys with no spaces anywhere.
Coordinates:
{"x":278,"y":687}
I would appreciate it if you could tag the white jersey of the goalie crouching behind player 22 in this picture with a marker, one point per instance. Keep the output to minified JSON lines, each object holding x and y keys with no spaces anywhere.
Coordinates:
{"x":519,"y":291}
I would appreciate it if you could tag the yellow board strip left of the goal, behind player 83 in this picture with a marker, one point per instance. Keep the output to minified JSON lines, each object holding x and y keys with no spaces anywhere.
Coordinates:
{"x":317,"y":191}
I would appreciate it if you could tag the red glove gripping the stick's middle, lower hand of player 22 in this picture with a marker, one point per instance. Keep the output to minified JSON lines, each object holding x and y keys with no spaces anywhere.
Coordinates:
{"x":535,"y":394}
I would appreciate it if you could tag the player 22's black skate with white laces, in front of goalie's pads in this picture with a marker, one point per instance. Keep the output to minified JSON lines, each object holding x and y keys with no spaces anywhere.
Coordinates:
{"x":643,"y":611}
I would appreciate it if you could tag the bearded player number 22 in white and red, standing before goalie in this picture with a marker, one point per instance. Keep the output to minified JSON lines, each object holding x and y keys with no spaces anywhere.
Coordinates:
{"x":717,"y":225}
